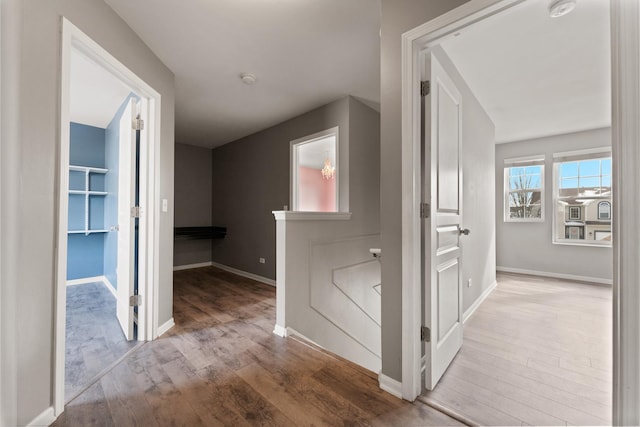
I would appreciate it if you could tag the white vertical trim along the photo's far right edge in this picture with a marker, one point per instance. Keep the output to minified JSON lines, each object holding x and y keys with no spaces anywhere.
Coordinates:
{"x":625,"y":87}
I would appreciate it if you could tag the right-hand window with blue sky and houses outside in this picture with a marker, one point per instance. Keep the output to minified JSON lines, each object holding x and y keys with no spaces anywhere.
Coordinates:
{"x":582,"y":197}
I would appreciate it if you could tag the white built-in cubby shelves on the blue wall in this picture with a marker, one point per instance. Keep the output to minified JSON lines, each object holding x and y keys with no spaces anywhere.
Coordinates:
{"x":86,"y":199}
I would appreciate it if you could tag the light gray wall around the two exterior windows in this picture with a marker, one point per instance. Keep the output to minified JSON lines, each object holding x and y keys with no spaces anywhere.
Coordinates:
{"x":528,"y":246}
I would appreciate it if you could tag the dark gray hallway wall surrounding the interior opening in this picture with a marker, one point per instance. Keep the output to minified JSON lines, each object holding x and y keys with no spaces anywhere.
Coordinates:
{"x":251,"y":179}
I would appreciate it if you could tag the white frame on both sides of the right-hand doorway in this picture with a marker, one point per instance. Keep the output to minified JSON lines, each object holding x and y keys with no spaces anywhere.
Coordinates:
{"x":414,"y":44}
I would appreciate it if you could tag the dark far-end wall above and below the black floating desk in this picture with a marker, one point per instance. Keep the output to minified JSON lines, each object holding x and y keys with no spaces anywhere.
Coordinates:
{"x":193,"y":189}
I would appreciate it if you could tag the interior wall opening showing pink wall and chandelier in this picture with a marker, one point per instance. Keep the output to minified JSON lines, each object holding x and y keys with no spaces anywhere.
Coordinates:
{"x":315,"y":171}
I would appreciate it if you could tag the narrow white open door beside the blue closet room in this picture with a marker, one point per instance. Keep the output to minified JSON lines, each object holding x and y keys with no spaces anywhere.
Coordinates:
{"x":126,"y":228}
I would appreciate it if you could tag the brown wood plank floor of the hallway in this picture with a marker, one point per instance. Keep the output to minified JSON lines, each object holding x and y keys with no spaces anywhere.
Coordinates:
{"x":222,"y":365}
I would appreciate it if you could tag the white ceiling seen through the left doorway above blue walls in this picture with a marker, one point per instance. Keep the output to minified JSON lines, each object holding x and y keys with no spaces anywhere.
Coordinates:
{"x":95,"y":94}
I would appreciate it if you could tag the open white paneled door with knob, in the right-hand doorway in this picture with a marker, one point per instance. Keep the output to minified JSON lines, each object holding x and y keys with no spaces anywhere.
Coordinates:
{"x":442,"y":187}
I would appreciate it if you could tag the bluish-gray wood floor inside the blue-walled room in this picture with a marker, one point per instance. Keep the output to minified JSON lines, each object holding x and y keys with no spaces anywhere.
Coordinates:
{"x":93,"y":337}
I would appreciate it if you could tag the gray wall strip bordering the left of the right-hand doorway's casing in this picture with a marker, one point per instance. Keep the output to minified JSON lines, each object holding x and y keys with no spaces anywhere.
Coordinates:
{"x":398,"y":16}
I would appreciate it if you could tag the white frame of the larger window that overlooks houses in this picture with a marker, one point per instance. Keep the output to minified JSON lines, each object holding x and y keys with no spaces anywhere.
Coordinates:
{"x":575,"y":156}
